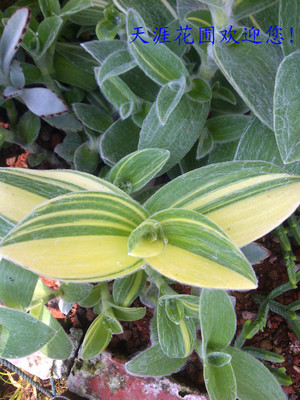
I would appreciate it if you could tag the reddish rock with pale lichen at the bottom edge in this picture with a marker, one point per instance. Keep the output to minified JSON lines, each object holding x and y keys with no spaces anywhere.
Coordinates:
{"x":104,"y":378}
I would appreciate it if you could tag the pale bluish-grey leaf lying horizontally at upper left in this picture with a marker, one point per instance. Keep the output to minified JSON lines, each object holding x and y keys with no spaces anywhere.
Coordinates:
{"x":43,"y":102}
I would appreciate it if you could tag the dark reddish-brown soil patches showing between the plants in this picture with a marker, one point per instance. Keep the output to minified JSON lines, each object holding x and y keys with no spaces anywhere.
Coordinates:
{"x":276,"y":337}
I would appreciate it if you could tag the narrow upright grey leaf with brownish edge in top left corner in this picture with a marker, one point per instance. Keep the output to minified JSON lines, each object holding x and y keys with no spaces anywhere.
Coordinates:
{"x":12,"y":36}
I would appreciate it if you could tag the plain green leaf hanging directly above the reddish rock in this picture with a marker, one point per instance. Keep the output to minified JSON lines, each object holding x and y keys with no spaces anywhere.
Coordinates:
{"x":154,"y":362}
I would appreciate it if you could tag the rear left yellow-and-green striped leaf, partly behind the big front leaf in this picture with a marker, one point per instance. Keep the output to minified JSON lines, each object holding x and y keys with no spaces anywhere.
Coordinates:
{"x":23,"y":189}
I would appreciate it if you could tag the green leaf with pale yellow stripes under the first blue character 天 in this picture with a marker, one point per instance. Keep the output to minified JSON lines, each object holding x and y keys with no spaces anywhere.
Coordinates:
{"x":156,"y":60}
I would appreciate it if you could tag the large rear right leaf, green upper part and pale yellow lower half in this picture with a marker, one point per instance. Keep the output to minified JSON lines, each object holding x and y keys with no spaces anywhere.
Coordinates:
{"x":247,"y":199}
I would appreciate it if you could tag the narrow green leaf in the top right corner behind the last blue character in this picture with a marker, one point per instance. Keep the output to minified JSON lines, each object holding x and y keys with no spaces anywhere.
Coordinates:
{"x":289,"y":12}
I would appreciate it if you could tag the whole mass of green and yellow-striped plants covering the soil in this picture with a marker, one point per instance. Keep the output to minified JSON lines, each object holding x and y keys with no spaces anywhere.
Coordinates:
{"x":181,"y":134}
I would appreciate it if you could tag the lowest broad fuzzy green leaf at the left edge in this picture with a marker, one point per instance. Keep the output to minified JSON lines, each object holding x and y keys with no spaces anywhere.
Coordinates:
{"x":17,"y":330}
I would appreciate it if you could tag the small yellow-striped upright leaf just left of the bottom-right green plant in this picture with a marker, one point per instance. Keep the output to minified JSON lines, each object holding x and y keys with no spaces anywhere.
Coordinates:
{"x":180,"y":343}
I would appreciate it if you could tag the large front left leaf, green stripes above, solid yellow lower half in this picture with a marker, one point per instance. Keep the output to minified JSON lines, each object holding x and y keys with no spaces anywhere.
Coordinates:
{"x":77,"y":237}
